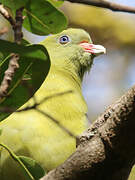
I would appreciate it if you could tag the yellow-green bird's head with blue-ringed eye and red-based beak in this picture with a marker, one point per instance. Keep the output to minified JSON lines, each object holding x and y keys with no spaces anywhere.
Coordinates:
{"x":72,"y":50}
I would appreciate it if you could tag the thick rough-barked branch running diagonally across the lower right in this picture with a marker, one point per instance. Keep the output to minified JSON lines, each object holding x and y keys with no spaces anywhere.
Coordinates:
{"x":107,"y":150}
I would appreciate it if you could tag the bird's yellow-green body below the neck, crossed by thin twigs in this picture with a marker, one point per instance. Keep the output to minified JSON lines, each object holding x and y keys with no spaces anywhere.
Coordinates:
{"x":35,"y":135}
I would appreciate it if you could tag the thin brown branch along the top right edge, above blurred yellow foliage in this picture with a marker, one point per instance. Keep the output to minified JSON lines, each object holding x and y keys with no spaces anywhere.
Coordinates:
{"x":106,"y":4}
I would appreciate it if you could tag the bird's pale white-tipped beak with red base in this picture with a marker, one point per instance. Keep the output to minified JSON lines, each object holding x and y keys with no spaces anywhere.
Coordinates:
{"x":92,"y":48}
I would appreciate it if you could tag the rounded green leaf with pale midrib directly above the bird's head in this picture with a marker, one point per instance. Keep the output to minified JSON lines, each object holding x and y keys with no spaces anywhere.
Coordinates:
{"x":43,"y":18}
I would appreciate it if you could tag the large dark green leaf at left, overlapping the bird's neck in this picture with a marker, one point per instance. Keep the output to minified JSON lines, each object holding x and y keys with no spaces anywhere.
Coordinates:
{"x":34,"y":64}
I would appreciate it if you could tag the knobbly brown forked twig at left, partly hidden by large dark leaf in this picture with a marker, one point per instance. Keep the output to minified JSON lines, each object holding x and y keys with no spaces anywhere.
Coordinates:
{"x":13,"y":63}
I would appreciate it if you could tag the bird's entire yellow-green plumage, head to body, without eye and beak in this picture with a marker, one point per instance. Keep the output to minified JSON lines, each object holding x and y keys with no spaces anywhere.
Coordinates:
{"x":35,"y":135}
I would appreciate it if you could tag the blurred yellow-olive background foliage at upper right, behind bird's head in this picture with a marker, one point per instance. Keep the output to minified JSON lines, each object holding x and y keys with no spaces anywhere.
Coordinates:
{"x":112,"y":29}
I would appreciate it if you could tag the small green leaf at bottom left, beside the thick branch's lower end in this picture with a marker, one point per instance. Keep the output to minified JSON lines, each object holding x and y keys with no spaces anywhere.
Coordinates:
{"x":33,"y":167}
